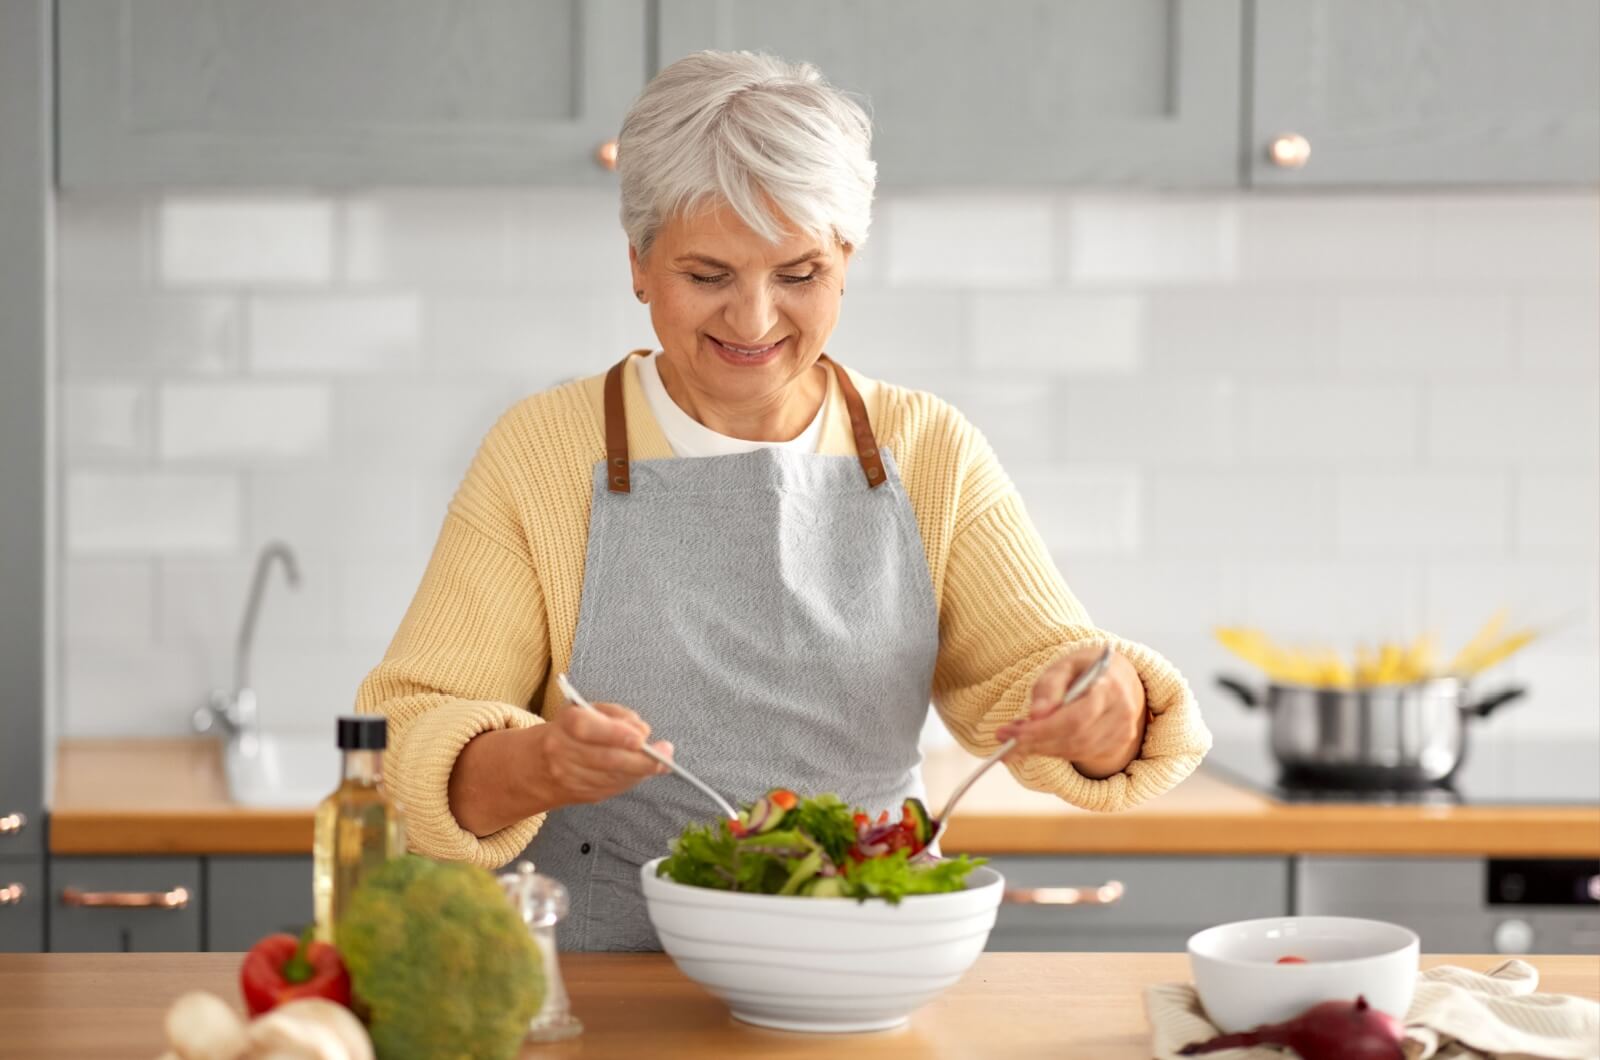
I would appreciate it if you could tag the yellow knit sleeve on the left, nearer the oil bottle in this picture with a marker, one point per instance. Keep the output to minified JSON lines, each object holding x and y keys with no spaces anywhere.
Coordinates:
{"x":468,"y":659}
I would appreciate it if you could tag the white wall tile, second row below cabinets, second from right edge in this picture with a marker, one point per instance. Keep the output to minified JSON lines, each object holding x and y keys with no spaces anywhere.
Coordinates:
{"x":1439,"y":337}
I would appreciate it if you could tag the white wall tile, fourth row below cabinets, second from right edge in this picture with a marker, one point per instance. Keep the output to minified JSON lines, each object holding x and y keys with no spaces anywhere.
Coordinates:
{"x":1425,"y":515}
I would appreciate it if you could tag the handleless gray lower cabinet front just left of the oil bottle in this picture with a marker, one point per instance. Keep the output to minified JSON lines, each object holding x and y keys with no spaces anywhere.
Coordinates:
{"x":249,"y":897}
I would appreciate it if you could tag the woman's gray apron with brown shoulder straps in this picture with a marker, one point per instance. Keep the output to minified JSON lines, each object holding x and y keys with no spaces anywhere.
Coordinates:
{"x":774,"y":617}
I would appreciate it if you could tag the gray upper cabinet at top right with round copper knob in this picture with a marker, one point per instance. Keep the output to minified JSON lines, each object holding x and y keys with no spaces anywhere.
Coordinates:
{"x":1425,"y":92}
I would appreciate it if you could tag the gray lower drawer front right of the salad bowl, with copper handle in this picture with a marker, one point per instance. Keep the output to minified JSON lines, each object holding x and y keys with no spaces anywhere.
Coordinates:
{"x":1164,"y":901}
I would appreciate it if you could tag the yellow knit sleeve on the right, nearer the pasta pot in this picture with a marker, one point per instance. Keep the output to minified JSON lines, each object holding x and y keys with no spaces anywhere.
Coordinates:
{"x":1004,"y":616}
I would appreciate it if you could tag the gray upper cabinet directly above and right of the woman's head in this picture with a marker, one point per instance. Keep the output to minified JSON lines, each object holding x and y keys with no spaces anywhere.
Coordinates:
{"x":1028,"y":92}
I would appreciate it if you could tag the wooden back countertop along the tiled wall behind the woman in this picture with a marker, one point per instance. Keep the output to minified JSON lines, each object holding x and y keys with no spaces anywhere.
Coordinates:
{"x":167,"y":797}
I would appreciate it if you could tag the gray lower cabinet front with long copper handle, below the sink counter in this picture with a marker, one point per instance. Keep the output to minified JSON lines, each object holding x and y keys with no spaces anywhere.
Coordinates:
{"x":126,"y":905}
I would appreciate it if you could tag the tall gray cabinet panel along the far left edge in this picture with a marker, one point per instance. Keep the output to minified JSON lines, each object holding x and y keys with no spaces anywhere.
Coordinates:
{"x":25,"y":446}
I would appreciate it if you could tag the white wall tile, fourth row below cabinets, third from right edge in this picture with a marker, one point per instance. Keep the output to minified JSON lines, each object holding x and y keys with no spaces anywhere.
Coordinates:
{"x":1239,"y":515}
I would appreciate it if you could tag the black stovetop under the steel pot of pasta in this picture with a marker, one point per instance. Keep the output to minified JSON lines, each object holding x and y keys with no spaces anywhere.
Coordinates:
{"x":1494,"y":773}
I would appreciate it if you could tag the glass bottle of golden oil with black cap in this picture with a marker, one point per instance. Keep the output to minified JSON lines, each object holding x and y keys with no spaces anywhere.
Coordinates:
{"x":358,"y":827}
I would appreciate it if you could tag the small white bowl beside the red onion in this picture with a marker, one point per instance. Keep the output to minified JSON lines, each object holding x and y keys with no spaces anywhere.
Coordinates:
{"x":1242,"y":986}
